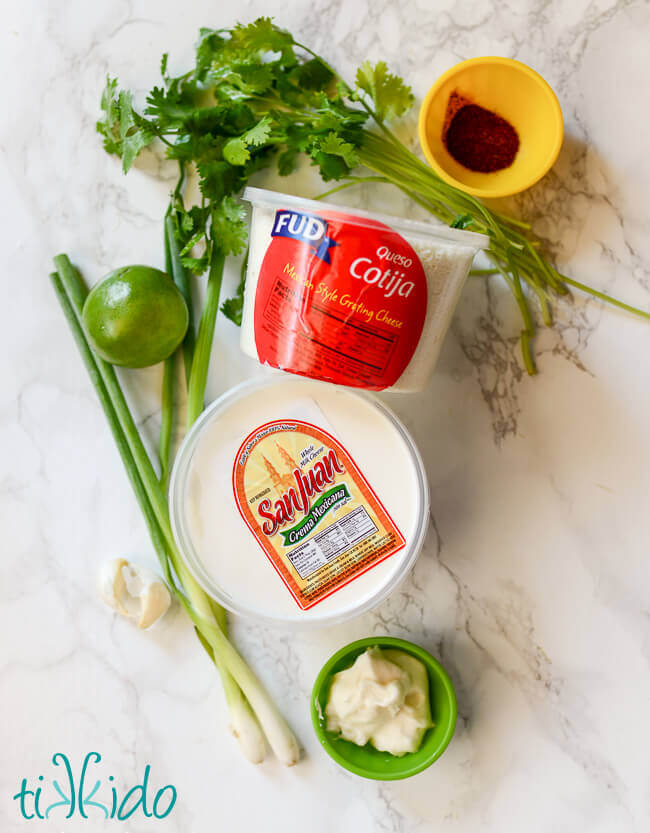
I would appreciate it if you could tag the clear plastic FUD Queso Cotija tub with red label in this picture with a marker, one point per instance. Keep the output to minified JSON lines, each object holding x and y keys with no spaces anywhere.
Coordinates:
{"x":350,"y":297}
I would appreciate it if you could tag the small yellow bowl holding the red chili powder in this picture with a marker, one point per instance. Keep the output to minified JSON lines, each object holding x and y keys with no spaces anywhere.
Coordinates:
{"x":516,"y":93}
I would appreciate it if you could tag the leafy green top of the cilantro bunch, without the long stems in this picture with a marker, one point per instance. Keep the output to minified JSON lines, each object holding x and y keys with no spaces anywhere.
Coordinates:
{"x":254,"y":98}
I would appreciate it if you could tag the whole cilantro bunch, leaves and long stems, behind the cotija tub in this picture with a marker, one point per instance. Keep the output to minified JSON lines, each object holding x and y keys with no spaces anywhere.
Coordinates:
{"x":256,"y":97}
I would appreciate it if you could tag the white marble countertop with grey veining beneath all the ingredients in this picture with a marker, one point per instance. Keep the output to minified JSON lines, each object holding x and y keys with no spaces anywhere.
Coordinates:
{"x":533,"y":586}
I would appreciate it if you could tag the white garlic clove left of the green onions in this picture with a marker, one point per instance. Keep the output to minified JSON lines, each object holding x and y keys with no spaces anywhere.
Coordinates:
{"x":134,"y":591}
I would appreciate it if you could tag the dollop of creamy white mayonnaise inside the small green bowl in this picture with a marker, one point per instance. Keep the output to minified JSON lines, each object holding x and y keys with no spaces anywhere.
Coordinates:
{"x":383,"y":699}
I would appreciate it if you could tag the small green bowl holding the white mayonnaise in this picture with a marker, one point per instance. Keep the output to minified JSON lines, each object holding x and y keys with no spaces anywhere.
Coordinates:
{"x":366,"y":761}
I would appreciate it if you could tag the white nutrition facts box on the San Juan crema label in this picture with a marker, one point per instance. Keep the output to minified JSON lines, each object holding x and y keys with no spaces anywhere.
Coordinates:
{"x":333,"y":542}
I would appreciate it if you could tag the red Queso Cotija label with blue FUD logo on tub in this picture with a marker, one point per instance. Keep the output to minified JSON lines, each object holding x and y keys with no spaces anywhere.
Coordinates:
{"x":339,"y":298}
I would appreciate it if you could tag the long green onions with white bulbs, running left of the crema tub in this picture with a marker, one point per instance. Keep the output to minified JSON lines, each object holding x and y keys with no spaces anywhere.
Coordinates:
{"x":247,"y":699}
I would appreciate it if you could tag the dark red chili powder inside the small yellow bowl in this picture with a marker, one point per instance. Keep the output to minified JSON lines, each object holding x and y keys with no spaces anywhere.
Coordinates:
{"x":478,"y":138}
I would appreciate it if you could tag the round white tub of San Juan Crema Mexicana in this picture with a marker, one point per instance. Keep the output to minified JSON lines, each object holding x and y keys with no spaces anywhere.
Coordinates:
{"x":298,"y":503}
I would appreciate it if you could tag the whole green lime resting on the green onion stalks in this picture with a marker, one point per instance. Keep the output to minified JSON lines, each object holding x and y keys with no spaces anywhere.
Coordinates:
{"x":135,"y":316}
